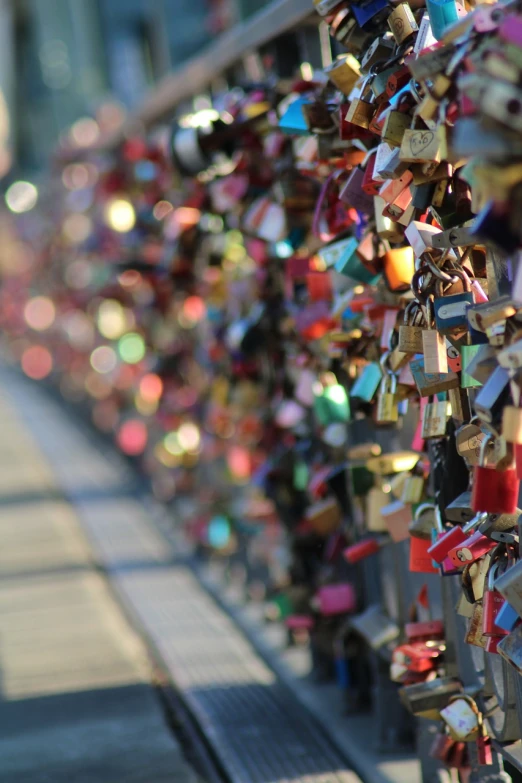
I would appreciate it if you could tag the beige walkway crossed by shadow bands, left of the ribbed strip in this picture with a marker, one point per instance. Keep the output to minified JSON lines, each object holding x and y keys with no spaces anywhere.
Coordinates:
{"x":76,"y":703}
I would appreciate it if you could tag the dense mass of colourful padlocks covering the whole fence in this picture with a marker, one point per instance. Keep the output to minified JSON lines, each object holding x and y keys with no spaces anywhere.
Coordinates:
{"x":301,"y":315}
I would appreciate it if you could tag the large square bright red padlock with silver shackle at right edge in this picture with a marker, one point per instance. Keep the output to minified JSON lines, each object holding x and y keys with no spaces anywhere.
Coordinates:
{"x":494,"y":491}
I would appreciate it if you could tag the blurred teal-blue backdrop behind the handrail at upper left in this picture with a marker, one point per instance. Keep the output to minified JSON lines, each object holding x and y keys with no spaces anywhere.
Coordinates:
{"x":63,"y":59}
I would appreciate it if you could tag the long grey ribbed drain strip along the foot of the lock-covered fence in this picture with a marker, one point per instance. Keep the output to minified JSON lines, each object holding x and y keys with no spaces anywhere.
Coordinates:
{"x":258,"y":729}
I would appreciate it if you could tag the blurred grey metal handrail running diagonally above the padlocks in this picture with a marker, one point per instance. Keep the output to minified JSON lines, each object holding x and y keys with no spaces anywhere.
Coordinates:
{"x":197,"y":73}
